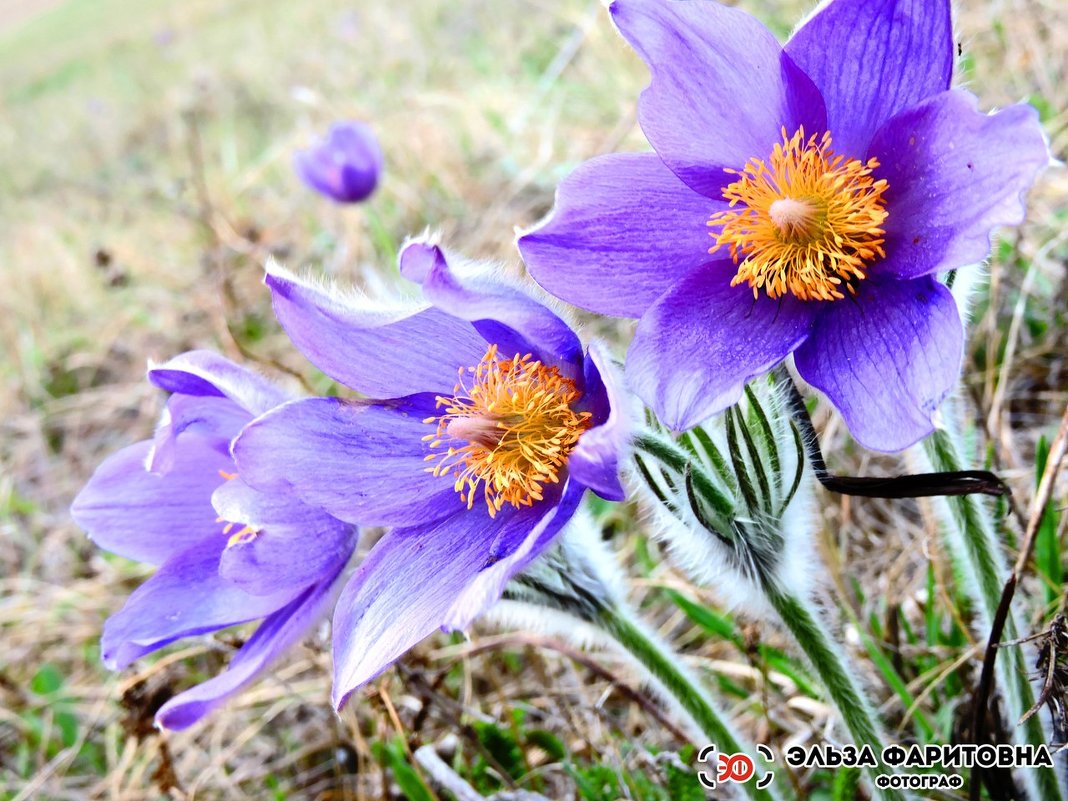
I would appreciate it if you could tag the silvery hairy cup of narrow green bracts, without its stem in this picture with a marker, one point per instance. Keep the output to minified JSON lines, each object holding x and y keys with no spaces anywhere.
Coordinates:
{"x":733,"y":497}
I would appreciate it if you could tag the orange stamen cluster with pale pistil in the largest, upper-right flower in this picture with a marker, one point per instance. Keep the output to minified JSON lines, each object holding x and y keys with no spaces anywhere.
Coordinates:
{"x":806,"y":223}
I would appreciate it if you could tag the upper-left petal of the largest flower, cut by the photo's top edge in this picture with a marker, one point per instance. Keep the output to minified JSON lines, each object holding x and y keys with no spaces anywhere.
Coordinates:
{"x":721,"y":88}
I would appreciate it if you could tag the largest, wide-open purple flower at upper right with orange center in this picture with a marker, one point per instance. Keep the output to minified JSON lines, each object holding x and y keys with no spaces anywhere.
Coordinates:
{"x":837,"y":177}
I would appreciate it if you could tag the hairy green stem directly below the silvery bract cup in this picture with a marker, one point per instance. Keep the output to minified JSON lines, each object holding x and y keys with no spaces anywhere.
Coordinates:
{"x":830,"y":665}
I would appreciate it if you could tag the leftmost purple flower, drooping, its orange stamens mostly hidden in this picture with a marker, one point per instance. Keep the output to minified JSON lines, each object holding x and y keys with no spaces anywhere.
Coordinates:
{"x":227,"y":554}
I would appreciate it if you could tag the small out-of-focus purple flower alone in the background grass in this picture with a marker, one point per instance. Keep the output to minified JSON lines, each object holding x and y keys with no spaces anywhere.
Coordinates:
{"x":345,"y":167}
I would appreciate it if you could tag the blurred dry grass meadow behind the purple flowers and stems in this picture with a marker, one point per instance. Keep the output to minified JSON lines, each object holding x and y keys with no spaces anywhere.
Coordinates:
{"x":146,"y":176}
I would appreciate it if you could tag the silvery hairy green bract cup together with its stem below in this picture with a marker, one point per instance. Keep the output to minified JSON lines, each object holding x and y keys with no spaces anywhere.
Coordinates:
{"x":735,"y":498}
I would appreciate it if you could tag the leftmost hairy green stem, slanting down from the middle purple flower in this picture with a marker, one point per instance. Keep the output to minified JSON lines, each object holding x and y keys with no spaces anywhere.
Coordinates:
{"x":679,"y":684}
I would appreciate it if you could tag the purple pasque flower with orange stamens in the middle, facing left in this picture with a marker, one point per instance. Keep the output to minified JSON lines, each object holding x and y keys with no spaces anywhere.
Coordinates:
{"x":485,"y":422}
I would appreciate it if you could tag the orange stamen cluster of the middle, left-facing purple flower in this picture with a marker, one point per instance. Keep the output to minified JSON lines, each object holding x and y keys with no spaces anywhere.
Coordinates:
{"x":509,"y":429}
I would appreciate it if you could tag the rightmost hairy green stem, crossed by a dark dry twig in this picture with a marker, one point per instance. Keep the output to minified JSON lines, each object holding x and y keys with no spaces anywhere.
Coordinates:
{"x":972,"y":542}
